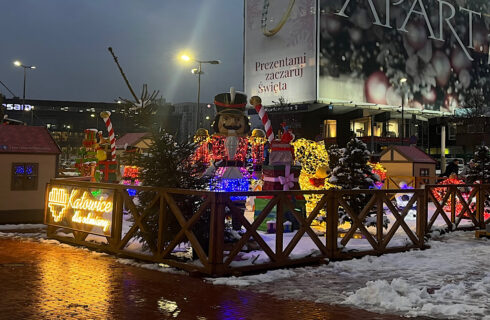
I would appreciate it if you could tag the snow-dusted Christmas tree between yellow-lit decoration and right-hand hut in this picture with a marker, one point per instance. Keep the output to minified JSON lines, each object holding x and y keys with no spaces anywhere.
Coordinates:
{"x":353,"y":172}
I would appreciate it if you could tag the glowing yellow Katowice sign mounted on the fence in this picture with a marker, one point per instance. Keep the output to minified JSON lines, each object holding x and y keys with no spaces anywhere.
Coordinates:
{"x":84,"y":209}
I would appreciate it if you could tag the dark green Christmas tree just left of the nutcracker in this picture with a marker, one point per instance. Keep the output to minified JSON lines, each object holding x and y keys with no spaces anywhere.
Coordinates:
{"x":168,"y":164}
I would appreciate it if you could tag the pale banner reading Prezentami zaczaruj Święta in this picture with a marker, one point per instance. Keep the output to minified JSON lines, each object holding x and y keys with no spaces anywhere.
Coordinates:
{"x":280,"y":51}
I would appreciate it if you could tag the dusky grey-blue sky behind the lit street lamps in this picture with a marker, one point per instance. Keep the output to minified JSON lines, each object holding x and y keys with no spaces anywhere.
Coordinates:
{"x":67,"y":41}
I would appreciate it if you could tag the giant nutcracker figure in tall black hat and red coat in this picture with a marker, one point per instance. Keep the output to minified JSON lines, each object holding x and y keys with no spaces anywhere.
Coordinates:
{"x":229,"y":146}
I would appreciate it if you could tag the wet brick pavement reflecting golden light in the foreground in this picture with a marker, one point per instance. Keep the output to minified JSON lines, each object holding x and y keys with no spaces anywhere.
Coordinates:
{"x":53,"y":281}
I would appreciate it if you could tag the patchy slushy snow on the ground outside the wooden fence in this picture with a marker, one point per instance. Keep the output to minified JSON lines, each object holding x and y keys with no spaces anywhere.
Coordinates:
{"x":451,"y":280}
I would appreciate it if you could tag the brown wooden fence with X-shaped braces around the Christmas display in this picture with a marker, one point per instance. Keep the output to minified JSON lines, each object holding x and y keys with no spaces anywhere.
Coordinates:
{"x":156,"y":224}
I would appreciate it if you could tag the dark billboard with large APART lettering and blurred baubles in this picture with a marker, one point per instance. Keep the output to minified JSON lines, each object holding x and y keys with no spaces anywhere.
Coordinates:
{"x":432,"y":52}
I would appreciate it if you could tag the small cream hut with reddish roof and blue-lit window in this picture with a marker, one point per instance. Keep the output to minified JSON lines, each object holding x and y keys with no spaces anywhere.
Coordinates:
{"x":28,"y":160}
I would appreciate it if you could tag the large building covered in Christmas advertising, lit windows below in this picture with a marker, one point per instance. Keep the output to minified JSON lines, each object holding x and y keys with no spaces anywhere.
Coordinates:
{"x":381,"y":71}
